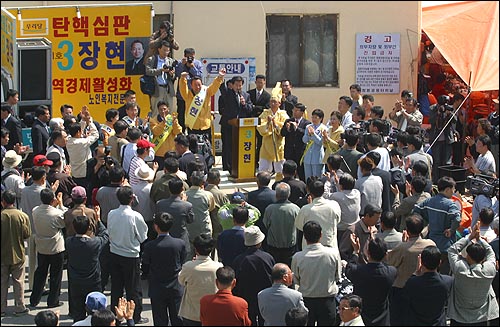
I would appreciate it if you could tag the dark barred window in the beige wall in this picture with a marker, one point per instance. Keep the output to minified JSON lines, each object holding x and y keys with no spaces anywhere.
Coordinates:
{"x":302,"y":49}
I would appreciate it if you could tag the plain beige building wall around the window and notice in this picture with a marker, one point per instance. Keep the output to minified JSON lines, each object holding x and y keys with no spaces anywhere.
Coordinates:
{"x":225,"y":29}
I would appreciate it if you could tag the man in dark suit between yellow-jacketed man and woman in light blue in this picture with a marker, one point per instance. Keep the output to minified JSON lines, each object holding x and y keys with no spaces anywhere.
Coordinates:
{"x":293,"y":131}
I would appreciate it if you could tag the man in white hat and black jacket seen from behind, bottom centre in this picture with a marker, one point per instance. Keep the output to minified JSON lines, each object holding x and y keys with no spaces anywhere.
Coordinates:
{"x":253,"y":272}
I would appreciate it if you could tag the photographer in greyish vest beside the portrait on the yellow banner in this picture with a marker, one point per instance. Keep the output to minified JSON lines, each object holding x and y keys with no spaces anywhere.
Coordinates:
{"x":162,"y":67}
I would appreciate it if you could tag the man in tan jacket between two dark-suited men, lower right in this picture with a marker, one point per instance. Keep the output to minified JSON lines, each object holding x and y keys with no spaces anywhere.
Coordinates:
{"x":404,"y":258}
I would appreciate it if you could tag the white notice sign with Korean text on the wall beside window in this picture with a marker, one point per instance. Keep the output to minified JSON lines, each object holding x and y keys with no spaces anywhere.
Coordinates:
{"x":377,"y":62}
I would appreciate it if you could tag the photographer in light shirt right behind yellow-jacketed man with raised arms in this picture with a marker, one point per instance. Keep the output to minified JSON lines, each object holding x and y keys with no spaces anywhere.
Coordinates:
{"x":194,"y":68}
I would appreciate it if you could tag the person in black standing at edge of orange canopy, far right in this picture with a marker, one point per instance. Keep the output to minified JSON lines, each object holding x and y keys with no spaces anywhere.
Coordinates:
{"x":440,"y":114}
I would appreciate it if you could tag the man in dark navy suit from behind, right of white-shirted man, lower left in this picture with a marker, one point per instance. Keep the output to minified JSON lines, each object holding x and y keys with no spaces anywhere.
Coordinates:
{"x":162,"y":261}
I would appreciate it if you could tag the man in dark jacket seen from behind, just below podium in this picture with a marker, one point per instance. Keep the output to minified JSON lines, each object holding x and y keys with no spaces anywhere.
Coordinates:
{"x":262,"y":196}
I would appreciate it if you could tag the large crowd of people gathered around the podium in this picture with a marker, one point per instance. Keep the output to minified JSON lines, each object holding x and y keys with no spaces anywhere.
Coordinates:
{"x":361,"y":227}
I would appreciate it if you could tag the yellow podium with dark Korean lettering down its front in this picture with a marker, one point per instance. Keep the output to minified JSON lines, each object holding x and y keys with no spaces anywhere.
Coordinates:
{"x":243,"y":151}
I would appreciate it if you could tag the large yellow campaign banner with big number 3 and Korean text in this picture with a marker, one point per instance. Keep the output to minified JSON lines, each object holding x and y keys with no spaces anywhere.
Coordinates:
{"x":92,"y":56}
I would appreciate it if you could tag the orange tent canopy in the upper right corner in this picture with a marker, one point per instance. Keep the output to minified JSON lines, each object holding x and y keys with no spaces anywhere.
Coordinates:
{"x":466,"y":34}
